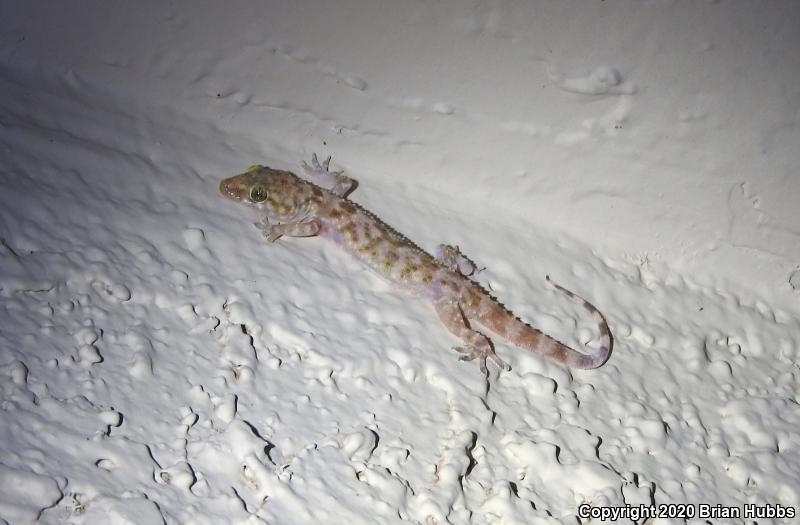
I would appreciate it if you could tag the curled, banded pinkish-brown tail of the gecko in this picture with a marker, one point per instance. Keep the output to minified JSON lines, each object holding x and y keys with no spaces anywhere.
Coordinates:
{"x":499,"y":320}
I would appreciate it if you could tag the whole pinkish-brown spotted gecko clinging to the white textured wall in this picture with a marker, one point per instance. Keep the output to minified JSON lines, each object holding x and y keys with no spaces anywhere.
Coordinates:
{"x":295,"y":207}
